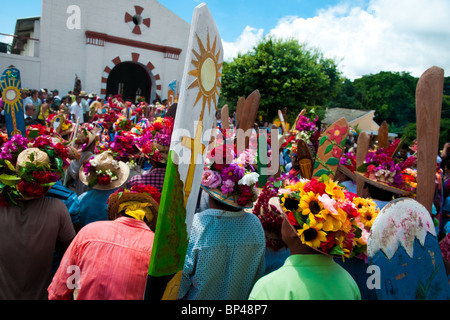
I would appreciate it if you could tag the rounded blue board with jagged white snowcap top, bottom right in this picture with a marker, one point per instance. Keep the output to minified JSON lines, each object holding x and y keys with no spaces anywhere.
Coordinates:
{"x":404,"y":251}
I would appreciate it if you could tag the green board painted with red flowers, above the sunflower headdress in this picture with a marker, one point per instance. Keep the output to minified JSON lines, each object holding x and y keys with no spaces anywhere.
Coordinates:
{"x":331,"y":145}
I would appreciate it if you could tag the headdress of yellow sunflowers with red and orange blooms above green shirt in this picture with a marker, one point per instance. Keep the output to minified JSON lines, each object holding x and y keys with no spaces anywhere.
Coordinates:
{"x":325,"y":216}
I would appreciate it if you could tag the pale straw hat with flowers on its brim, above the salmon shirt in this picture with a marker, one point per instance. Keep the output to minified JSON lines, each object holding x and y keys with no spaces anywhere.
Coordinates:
{"x":104,"y":163}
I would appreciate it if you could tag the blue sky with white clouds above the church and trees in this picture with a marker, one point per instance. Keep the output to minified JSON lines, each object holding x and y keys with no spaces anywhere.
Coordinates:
{"x":362,"y":36}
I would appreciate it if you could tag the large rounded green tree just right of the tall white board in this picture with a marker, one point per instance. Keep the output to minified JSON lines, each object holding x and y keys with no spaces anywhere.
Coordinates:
{"x":286,"y":73}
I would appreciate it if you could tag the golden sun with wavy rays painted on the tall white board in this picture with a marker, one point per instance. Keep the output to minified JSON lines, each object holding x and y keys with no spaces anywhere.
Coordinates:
{"x":207,"y":73}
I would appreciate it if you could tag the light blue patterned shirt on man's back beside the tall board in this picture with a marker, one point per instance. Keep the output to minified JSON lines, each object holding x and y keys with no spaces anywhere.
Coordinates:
{"x":225,"y":256}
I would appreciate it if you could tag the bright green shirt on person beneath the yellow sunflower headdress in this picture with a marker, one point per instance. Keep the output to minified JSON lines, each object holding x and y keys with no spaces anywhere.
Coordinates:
{"x":307,"y":277}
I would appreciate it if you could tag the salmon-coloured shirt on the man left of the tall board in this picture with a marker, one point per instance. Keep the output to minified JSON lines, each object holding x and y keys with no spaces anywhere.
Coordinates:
{"x":109,"y":258}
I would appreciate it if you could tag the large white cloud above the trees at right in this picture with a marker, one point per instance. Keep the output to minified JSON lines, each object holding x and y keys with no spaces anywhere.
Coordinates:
{"x":386,"y":35}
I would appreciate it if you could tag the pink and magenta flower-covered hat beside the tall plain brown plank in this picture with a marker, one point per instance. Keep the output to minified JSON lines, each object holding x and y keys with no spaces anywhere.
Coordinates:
{"x":382,"y":169}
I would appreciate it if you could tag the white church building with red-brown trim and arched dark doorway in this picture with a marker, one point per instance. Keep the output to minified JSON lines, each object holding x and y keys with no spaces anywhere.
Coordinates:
{"x":132,"y":47}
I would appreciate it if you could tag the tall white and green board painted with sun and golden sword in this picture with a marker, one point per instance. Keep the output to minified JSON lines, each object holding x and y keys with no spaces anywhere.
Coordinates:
{"x":197,"y":105}
